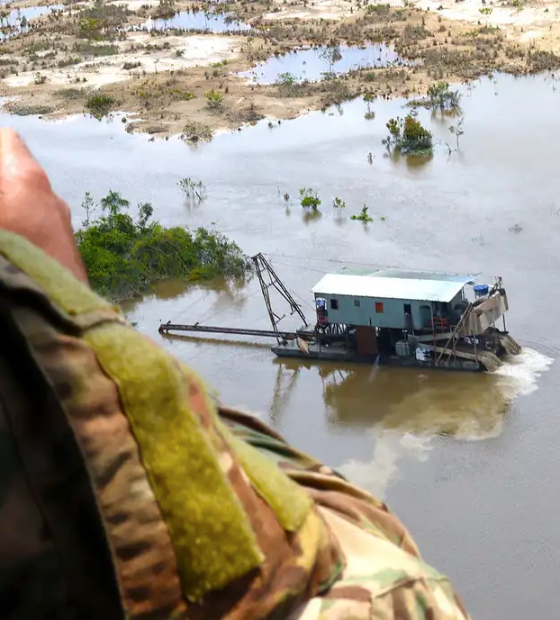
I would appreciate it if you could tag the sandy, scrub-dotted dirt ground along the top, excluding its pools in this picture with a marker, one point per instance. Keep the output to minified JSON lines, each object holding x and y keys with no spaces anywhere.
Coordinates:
{"x":106,"y":57}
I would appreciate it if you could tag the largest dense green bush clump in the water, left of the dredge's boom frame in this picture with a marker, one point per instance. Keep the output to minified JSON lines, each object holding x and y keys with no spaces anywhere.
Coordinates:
{"x":125,"y":257}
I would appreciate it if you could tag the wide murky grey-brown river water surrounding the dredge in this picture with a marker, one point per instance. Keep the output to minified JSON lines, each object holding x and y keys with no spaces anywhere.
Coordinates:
{"x":468,"y":461}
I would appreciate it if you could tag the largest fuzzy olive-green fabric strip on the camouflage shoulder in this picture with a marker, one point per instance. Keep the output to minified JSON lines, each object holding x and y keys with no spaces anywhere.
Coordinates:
{"x":208,"y":525}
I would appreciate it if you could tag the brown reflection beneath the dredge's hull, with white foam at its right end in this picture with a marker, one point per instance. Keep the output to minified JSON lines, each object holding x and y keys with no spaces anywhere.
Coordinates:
{"x":460,"y":405}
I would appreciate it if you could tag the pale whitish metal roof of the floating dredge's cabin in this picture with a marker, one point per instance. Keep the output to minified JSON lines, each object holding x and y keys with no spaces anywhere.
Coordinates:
{"x":392,"y":287}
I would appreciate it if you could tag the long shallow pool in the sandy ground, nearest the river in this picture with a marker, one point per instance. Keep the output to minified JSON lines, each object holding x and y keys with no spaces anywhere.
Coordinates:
{"x":315,"y":63}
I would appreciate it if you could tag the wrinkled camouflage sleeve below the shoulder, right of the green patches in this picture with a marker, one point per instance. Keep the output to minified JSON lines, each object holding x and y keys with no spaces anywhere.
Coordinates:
{"x":384,"y":577}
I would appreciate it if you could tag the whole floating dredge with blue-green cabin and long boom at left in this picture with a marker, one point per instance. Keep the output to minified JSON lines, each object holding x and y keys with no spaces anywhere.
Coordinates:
{"x":397,"y":318}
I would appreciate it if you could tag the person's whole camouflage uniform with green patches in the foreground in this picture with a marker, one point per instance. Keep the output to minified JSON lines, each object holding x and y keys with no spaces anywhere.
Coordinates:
{"x":128,"y":492}
